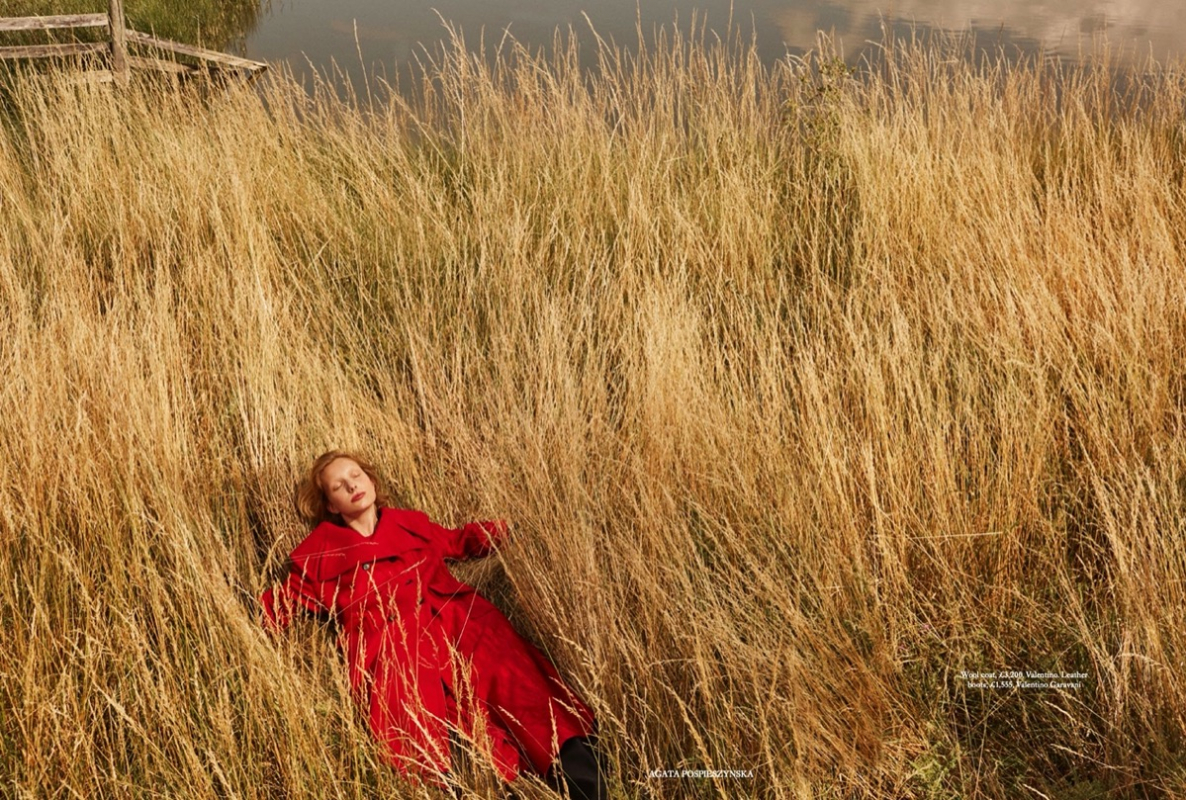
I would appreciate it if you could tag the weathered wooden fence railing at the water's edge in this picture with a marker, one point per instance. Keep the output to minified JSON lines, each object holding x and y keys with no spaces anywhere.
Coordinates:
{"x":124,"y":49}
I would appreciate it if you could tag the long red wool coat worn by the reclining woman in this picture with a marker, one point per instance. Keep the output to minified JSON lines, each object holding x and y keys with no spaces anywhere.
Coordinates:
{"x":425,"y":651}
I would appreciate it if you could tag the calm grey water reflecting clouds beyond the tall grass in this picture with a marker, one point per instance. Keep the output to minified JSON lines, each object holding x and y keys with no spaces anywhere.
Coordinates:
{"x":386,"y":35}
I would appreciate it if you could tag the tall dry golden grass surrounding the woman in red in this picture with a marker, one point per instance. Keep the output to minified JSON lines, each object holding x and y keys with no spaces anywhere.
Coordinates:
{"x":807,"y":391}
